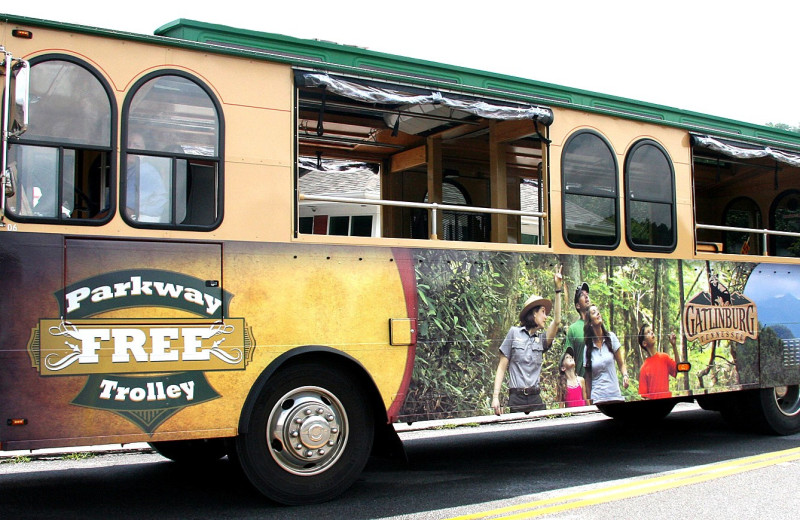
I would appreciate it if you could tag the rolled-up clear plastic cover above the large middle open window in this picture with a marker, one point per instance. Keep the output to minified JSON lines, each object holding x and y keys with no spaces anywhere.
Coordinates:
{"x":371,"y":94}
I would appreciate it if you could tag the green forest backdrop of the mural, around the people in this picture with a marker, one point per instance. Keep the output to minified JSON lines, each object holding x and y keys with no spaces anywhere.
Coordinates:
{"x":469,"y":300}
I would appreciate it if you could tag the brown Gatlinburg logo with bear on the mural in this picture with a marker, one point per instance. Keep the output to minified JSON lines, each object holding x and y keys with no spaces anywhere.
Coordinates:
{"x":717,"y":314}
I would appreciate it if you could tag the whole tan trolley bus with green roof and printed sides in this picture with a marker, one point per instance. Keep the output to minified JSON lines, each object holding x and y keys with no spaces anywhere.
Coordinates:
{"x":227,"y":242}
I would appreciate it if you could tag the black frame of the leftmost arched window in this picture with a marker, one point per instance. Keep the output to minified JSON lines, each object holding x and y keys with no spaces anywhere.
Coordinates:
{"x":61,"y":146}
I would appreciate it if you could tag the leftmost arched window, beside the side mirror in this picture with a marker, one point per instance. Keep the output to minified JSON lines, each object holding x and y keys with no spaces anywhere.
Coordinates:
{"x":62,"y":164}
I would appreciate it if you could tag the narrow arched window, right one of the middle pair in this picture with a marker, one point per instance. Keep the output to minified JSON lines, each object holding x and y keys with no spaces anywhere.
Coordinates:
{"x":650,"y":198}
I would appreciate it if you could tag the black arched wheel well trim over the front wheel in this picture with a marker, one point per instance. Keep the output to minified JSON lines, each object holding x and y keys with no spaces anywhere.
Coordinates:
{"x":333,"y":358}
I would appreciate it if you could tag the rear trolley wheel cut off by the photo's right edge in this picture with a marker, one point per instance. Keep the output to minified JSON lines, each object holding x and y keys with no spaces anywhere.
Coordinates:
{"x":777,"y":410}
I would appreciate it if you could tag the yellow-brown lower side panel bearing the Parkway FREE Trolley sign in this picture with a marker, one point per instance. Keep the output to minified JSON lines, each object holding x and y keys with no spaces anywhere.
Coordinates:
{"x":158,"y":343}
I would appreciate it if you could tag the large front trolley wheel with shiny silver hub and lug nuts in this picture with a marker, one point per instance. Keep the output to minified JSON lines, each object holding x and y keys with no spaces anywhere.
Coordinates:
{"x":309,"y":435}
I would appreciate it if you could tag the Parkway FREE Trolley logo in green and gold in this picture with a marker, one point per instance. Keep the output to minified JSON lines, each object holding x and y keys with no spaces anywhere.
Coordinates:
{"x":145,"y":370}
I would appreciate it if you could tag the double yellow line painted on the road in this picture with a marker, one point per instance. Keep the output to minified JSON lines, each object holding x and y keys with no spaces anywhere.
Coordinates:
{"x":636,"y":487}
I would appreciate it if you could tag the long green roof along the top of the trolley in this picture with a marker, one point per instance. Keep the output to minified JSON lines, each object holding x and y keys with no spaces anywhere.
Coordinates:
{"x":345,"y":59}
